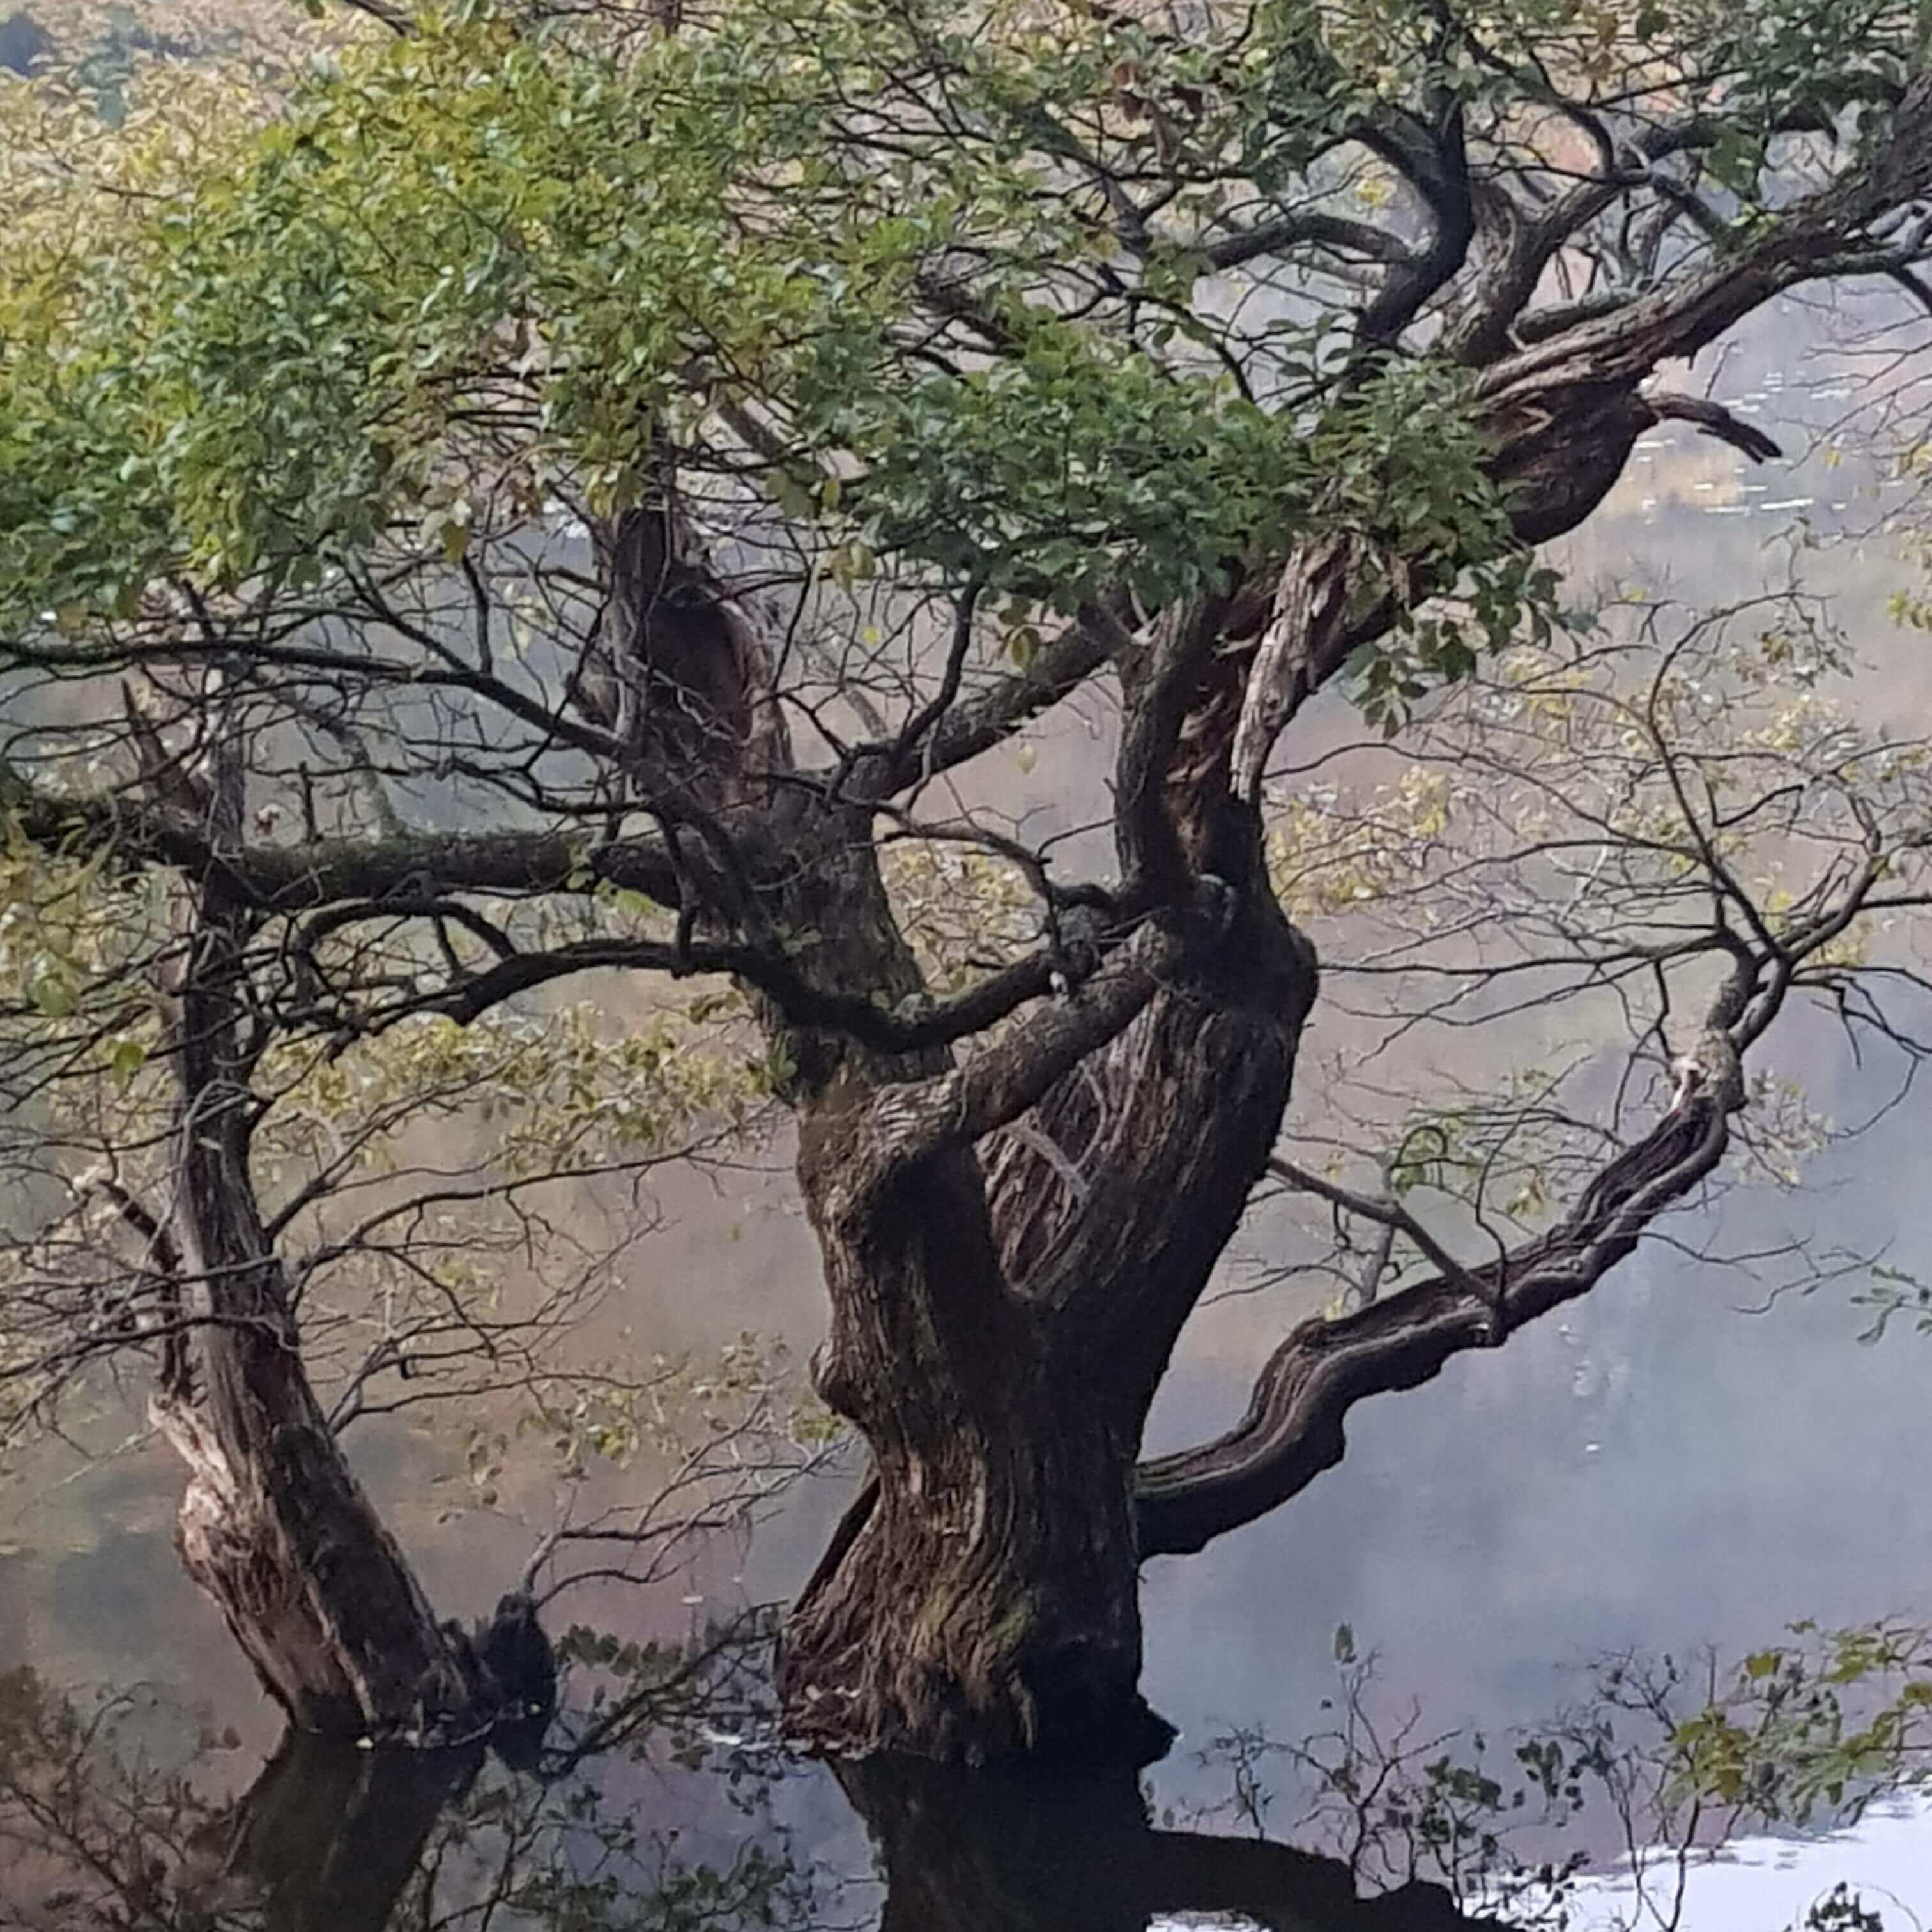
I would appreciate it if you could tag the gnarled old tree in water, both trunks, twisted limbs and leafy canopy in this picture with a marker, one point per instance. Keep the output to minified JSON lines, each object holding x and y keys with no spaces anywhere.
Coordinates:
{"x":554,"y":492}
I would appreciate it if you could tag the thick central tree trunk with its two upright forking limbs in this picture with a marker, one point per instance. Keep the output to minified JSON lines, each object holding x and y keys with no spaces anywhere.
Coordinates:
{"x":996,"y":1338}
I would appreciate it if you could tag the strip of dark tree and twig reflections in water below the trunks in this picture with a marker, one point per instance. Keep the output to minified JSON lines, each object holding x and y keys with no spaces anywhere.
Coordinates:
{"x":664,"y":1802}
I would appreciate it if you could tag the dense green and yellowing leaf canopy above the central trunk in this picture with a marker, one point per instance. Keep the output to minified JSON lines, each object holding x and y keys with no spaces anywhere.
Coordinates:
{"x":499,"y":258}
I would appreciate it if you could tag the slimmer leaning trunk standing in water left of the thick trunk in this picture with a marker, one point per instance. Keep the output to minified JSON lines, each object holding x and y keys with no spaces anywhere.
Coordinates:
{"x":275,"y":1525}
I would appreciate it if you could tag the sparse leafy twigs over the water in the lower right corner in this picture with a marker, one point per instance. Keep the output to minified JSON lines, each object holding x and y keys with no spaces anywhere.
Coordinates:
{"x":1668,"y":1759}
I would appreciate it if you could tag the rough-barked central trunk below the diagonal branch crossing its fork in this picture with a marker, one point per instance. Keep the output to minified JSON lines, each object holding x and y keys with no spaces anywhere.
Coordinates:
{"x":1000,"y":1361}
